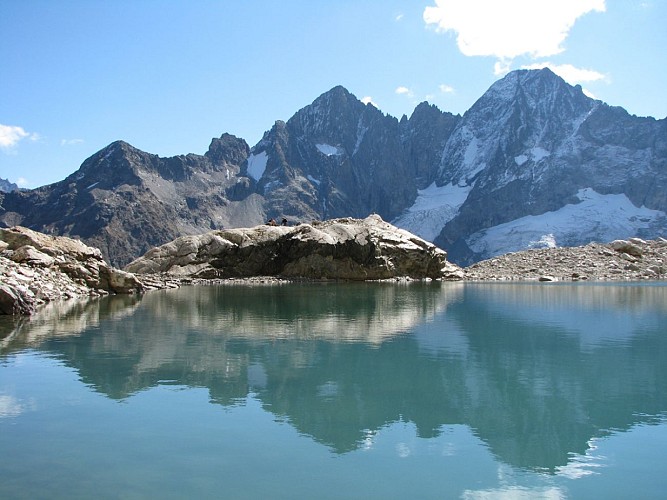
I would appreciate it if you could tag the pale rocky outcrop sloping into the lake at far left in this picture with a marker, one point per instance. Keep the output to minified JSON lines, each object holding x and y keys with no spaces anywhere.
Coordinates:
{"x":36,"y":268}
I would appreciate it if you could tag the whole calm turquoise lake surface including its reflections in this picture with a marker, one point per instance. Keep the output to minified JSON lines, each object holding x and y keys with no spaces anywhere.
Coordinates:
{"x":340,"y":391}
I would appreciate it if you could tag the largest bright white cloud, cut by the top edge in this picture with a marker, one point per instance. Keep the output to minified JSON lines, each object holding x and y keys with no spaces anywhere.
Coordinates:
{"x":510,"y":28}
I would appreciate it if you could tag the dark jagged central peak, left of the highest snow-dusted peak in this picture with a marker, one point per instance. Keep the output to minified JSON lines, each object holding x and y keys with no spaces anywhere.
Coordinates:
{"x":339,"y":157}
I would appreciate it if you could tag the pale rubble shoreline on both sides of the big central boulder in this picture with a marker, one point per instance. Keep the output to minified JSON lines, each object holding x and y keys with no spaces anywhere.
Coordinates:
{"x":37,"y":269}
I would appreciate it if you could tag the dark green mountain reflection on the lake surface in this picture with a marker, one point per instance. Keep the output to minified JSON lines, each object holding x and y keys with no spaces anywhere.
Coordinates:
{"x":536,"y":371}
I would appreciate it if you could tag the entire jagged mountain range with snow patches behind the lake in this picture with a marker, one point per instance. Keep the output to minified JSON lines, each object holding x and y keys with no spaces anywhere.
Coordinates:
{"x":533,"y":163}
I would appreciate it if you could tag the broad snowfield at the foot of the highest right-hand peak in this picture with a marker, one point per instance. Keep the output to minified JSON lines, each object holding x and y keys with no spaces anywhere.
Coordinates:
{"x":597,"y":217}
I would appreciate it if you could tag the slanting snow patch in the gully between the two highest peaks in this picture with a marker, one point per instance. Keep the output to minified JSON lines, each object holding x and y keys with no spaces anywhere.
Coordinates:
{"x":434,"y":207}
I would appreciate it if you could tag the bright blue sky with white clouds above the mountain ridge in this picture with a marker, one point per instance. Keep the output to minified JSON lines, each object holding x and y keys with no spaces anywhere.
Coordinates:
{"x":167,"y":76}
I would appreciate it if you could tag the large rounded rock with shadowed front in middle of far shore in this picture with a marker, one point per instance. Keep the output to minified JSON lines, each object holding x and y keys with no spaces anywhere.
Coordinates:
{"x":351,"y":249}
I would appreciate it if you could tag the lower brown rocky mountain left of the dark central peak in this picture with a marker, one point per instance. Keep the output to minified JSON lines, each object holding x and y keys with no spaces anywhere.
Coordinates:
{"x":125,"y":201}
